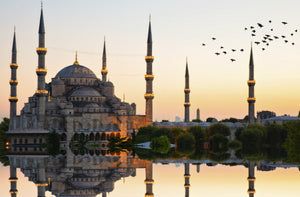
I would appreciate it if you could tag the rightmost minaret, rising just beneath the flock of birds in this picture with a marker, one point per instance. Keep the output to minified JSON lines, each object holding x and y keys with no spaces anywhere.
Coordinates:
{"x":251,"y":83}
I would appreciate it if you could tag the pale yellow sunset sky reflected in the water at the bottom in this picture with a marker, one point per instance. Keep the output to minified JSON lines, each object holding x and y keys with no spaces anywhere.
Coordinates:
{"x":232,"y":182}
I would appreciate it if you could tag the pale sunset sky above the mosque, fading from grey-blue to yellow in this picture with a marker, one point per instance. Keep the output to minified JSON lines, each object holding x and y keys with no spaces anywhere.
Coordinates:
{"x":218,"y":86}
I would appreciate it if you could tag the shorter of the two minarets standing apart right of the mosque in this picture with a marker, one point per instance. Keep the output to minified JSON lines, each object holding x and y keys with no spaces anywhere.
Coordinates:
{"x":187,"y":95}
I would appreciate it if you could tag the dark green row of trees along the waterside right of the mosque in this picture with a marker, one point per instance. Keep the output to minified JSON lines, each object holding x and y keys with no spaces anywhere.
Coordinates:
{"x":256,"y":142}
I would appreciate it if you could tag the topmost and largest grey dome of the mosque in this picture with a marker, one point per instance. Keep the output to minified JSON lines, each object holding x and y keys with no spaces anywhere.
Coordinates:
{"x":75,"y":71}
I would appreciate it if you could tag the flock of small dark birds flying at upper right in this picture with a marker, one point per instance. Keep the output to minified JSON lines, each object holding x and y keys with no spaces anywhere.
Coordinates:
{"x":263,"y":35}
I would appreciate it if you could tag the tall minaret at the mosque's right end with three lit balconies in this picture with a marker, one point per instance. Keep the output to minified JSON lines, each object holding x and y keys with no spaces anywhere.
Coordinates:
{"x":149,"y":96}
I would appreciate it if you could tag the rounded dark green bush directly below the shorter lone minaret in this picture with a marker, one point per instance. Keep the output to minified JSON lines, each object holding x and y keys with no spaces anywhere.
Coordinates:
{"x":185,"y":143}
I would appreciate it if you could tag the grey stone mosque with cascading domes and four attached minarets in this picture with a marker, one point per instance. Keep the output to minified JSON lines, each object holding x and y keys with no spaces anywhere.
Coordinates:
{"x":75,"y":101}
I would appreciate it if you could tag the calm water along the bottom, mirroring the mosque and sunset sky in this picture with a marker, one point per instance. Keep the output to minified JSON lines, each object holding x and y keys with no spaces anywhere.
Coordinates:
{"x":124,"y":176}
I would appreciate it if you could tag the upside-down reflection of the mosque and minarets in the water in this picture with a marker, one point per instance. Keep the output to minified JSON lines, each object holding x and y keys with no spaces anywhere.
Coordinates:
{"x":89,"y":175}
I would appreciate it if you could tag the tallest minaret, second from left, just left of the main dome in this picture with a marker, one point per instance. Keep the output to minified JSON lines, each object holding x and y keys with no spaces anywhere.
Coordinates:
{"x":41,"y":72}
